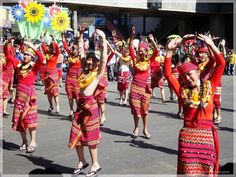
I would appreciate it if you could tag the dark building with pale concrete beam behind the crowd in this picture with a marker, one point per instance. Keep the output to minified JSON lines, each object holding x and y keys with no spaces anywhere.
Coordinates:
{"x":162,"y":17}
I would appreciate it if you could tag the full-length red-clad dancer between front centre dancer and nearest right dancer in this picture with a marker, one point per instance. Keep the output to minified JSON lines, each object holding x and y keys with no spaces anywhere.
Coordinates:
{"x":140,"y":91}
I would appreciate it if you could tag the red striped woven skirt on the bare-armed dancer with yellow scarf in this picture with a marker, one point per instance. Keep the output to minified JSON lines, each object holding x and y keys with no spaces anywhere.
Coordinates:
{"x":85,"y":130}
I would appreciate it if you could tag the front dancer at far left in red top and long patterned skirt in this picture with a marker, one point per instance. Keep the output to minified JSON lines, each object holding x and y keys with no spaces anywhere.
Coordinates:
{"x":25,"y":109}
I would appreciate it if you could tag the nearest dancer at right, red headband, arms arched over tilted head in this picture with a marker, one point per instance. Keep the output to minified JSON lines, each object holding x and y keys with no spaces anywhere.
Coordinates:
{"x":196,"y":156}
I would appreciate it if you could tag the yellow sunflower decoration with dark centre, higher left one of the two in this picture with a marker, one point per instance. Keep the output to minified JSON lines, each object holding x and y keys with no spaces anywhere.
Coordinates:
{"x":34,"y":12}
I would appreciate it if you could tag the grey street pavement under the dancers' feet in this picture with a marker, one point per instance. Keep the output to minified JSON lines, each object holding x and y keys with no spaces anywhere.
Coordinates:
{"x":118,"y":153}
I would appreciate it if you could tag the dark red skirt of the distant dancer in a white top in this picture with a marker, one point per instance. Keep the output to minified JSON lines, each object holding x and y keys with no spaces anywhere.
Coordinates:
{"x":123,"y":81}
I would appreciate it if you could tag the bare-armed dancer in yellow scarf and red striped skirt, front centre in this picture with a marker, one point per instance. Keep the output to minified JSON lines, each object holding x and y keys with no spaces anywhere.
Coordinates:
{"x":85,"y":130}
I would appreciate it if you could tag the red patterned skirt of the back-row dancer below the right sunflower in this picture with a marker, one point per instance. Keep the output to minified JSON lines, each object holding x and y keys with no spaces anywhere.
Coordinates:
{"x":51,"y":82}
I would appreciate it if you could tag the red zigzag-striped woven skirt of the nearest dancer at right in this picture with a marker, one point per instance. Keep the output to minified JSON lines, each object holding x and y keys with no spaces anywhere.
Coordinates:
{"x":197,"y":154}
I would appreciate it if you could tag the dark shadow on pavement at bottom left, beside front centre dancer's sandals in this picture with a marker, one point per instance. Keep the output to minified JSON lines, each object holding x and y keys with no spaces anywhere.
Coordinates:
{"x":48,"y":165}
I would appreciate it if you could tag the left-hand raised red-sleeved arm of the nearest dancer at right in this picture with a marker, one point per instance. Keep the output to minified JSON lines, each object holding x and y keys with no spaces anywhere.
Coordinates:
{"x":172,"y":45}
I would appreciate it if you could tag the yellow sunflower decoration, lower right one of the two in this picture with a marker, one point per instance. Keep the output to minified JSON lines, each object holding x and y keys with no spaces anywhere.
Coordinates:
{"x":61,"y":21}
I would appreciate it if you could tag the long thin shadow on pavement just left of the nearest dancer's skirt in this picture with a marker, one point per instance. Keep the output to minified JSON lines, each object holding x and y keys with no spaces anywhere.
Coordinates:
{"x":142,"y":144}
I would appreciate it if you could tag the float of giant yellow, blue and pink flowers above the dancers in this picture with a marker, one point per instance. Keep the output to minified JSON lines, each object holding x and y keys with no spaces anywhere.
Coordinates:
{"x":34,"y":18}
